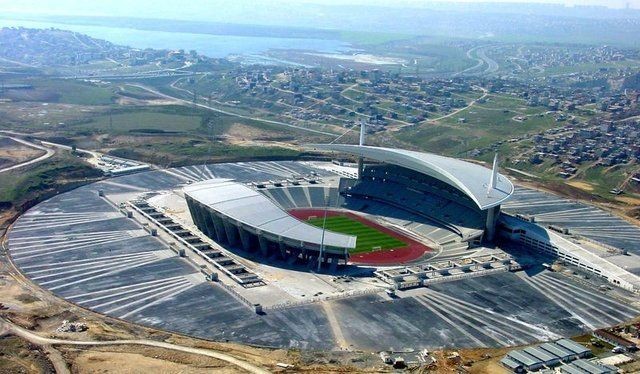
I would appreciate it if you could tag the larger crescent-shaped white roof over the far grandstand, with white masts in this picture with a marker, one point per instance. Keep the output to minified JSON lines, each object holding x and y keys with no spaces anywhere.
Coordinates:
{"x":471,"y":179}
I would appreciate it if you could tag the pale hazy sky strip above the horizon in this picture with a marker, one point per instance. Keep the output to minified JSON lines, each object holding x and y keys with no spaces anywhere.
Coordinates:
{"x":191,"y":8}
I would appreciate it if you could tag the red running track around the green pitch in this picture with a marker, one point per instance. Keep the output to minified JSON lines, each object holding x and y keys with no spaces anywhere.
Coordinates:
{"x":393,"y":256}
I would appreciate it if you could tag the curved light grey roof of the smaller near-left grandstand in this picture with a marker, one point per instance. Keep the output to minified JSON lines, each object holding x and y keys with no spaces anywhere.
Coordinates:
{"x":246,"y":205}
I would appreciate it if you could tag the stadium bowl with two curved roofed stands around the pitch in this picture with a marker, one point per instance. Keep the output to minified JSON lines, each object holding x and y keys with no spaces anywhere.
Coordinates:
{"x":443,"y":191}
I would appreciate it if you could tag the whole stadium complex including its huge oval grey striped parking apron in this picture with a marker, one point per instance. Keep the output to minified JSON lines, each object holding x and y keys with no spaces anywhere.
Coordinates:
{"x":424,"y":250}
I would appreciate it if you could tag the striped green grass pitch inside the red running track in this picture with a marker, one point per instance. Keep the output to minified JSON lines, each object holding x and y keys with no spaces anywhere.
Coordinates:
{"x":368,"y":237}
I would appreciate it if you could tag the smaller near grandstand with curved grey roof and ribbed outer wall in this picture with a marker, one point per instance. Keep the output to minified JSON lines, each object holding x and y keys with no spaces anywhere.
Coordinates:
{"x":234,"y":213}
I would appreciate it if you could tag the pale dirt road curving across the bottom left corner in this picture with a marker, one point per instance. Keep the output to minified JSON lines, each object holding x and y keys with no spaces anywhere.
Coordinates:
{"x":7,"y":327}
